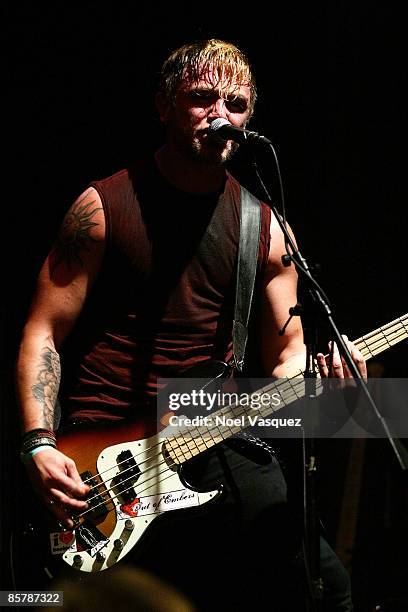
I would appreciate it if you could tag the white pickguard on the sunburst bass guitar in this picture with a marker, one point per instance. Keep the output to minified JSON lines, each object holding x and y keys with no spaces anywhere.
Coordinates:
{"x":158,"y":488}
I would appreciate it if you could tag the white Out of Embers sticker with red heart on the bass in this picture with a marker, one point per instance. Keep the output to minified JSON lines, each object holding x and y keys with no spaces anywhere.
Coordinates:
{"x":152,"y":504}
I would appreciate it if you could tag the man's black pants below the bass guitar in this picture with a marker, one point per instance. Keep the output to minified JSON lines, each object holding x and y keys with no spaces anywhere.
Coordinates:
{"x":243,"y":552}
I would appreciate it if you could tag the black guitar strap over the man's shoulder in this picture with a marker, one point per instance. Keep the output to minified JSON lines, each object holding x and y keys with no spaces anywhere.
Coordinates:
{"x":249,"y":235}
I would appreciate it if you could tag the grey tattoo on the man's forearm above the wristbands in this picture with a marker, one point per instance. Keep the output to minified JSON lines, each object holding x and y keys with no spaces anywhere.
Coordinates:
{"x":45,"y":390}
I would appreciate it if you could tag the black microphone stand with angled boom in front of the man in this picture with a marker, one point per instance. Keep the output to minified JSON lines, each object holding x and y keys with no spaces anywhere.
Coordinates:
{"x":317,"y":304}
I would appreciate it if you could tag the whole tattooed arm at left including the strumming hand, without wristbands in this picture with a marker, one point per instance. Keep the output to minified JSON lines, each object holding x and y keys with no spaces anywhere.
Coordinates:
{"x":63,"y":285}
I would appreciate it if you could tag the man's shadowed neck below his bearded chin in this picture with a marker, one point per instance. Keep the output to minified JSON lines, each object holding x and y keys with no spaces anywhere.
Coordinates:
{"x":187,"y":174}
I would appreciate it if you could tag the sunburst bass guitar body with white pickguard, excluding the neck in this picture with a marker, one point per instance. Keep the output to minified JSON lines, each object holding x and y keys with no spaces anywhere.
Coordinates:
{"x":132,"y":483}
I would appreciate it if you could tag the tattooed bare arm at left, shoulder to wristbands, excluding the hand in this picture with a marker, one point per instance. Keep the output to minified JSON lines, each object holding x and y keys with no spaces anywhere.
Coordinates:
{"x":63,"y":284}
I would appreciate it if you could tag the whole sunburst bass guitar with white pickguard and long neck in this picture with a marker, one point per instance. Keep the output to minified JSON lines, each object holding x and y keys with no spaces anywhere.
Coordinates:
{"x":134,"y":479}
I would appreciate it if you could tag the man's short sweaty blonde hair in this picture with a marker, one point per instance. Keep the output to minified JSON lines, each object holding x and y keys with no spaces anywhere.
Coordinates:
{"x":194,"y":61}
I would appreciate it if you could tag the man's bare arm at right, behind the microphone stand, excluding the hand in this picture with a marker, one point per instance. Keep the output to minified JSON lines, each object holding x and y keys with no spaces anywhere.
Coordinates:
{"x":282,"y":355}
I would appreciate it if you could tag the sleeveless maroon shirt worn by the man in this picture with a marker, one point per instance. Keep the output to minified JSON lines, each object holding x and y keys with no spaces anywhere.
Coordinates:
{"x":165,"y":295}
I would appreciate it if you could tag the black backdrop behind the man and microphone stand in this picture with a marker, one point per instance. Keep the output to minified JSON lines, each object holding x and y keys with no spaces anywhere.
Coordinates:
{"x":78,"y":83}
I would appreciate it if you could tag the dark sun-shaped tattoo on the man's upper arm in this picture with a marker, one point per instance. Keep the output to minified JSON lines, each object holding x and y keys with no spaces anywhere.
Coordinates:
{"x":74,"y":236}
